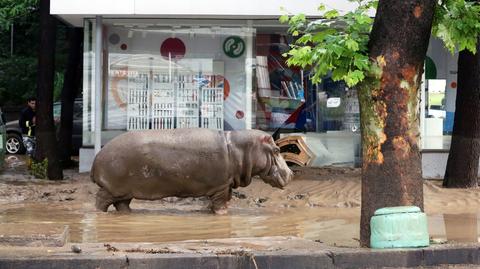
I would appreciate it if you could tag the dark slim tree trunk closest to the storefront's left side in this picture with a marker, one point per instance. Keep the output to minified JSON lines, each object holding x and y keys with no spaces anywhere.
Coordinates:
{"x":70,"y":89}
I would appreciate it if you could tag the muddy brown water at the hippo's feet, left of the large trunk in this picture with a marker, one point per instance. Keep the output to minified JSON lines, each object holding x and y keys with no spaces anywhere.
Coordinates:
{"x":332,"y":226}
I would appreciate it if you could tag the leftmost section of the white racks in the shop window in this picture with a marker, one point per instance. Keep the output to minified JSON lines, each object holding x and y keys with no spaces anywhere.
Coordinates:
{"x":138,"y":103}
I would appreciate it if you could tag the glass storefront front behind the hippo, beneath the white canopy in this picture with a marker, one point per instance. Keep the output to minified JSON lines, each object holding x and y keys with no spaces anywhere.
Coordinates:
{"x":218,"y":74}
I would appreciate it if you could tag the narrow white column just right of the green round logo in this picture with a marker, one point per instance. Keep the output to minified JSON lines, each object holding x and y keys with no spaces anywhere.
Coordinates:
{"x":249,"y":75}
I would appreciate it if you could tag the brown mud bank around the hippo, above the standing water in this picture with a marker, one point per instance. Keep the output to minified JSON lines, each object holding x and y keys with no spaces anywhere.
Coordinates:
{"x":312,"y":187}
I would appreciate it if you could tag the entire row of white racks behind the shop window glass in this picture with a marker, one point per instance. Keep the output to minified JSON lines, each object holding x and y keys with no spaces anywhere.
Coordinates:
{"x":156,"y":102}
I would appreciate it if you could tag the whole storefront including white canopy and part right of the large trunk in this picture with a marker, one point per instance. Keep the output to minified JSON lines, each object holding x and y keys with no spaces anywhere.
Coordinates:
{"x":184,"y":65}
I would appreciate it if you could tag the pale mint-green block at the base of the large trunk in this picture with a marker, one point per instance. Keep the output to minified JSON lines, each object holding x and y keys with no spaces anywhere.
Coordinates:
{"x":399,"y":227}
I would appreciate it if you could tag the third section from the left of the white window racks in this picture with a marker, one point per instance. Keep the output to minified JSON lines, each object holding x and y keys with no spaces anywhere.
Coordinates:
{"x":187,"y":102}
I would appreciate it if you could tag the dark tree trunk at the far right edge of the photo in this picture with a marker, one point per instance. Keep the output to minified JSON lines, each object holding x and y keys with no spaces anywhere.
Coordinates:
{"x":462,"y":164}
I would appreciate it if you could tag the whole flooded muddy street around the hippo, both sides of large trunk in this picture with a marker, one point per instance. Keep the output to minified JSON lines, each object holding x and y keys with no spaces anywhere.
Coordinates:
{"x":320,"y":204}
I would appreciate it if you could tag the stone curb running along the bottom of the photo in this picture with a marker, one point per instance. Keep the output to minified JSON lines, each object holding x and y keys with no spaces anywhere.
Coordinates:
{"x":322,"y":258}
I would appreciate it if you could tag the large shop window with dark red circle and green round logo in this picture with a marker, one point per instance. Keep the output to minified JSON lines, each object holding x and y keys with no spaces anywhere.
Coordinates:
{"x":164,"y":77}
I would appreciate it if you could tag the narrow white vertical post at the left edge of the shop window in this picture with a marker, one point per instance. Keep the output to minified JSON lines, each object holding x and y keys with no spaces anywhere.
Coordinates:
{"x":98,"y":84}
